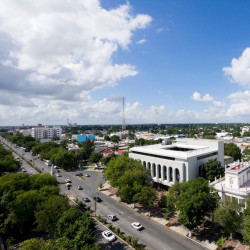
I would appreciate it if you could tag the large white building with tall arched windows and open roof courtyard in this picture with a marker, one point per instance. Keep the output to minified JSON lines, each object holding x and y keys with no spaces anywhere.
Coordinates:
{"x":183,"y":160}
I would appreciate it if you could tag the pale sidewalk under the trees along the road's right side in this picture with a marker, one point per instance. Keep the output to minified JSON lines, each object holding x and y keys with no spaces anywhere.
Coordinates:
{"x":173,"y":222}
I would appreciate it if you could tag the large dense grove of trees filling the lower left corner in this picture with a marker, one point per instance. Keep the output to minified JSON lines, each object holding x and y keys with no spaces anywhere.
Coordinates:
{"x":31,"y":204}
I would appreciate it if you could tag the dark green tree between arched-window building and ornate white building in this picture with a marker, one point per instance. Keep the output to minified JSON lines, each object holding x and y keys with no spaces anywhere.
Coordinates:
{"x":213,"y":169}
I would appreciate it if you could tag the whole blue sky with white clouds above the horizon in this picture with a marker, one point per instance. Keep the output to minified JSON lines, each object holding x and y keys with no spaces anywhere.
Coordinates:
{"x":174,"y":61}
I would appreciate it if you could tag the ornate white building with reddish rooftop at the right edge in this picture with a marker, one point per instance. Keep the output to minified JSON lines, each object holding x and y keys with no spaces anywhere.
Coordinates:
{"x":236,"y":182}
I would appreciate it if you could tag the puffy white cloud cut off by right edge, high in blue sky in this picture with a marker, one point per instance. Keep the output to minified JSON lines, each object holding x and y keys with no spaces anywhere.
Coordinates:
{"x":239,"y":71}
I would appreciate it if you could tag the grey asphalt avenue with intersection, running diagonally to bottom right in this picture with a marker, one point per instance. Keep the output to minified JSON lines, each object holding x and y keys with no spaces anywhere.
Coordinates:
{"x":154,"y":236}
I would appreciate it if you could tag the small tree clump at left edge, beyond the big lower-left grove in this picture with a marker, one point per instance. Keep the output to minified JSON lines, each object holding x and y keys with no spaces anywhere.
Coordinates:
{"x":7,"y":161}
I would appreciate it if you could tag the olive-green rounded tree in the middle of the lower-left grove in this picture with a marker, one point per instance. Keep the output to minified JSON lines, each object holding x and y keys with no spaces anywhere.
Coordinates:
{"x":49,"y":212}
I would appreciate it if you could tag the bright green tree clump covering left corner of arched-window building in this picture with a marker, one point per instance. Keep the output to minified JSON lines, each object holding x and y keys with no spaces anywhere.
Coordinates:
{"x":131,"y":179}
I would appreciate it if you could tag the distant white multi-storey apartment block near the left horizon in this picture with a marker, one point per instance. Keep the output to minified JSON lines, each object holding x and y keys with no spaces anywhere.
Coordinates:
{"x":46,"y":132}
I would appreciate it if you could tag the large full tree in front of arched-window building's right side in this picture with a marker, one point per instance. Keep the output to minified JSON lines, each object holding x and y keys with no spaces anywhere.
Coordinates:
{"x":196,"y":200}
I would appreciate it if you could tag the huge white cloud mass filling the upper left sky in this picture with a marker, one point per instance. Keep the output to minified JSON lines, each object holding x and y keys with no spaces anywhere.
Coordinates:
{"x":64,"y":45}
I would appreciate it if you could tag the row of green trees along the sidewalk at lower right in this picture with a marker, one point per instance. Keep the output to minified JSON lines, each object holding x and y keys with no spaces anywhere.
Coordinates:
{"x":195,"y":199}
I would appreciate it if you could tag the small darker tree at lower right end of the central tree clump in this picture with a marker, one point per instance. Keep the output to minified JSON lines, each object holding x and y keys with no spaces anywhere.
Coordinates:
{"x":146,"y":197}
